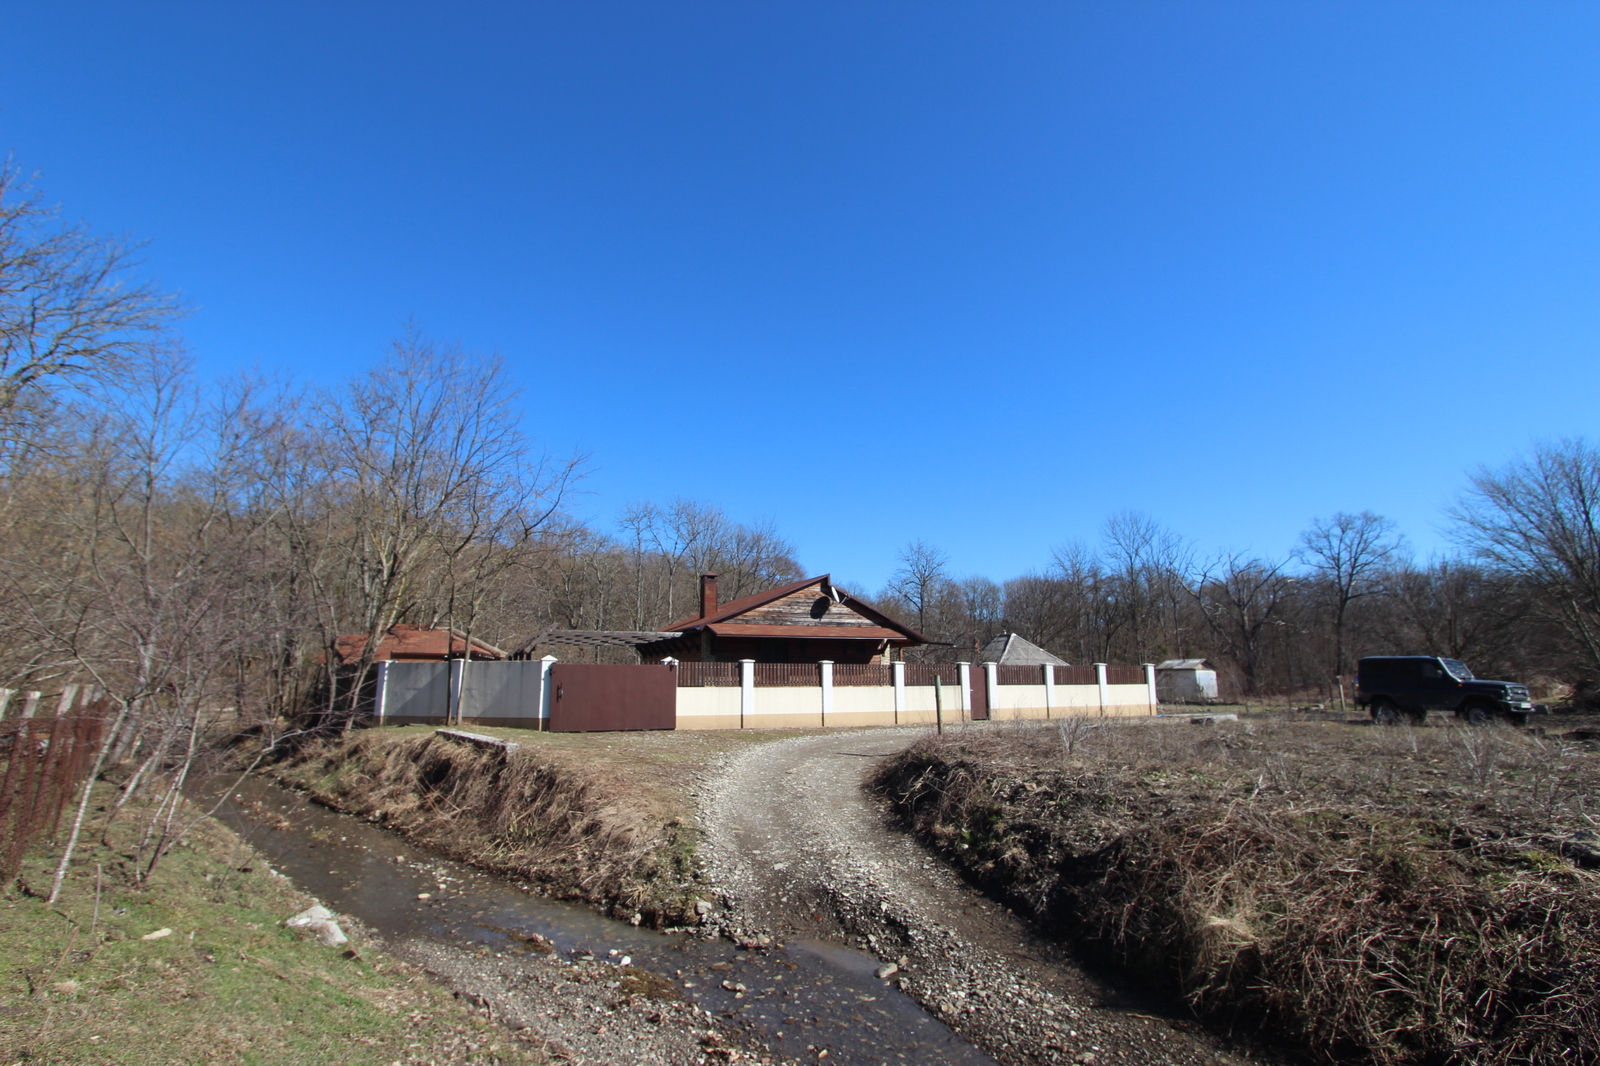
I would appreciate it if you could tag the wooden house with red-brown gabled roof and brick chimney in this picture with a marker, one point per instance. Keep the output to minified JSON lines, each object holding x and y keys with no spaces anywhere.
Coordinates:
{"x":807,"y":622}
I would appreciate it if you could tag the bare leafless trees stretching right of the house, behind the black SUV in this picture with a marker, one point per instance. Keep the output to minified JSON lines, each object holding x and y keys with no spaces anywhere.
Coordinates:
{"x":1519,"y":599}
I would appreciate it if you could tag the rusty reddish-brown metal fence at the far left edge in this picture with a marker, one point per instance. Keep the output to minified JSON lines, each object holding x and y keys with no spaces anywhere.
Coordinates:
{"x":44,"y":763}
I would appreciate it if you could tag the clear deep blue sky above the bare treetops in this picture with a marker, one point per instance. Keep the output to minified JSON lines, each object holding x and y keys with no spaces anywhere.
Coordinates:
{"x":969,"y":273}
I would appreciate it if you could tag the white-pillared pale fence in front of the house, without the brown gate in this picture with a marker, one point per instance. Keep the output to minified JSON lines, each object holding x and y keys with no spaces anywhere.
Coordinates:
{"x":751,"y":695}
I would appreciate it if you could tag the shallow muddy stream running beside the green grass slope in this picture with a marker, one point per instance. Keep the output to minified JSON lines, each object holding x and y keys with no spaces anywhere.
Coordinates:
{"x":799,"y":1000}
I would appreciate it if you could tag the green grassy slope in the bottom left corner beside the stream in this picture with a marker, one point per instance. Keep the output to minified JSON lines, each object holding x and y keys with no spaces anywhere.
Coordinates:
{"x":230,"y":985}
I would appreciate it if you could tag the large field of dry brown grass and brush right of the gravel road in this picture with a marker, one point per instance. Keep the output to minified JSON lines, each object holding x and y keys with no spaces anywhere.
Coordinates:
{"x":1407,"y":896}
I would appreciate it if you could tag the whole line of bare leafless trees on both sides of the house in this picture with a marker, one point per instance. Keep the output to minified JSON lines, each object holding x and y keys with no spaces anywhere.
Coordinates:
{"x":194,"y":548}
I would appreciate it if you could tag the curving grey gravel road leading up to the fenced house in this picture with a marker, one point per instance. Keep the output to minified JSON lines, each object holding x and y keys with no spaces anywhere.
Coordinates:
{"x":799,"y":851}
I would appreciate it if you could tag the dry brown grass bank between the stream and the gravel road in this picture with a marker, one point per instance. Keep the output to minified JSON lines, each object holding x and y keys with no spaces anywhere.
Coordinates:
{"x":578,"y":828}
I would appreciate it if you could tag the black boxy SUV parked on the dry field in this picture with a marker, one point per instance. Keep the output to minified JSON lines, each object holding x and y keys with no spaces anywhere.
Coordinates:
{"x":1415,"y":684}
